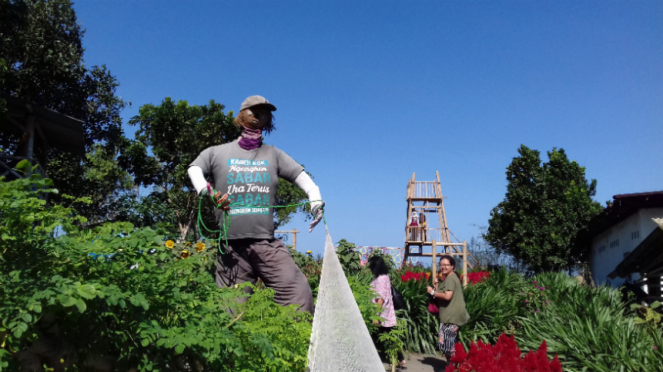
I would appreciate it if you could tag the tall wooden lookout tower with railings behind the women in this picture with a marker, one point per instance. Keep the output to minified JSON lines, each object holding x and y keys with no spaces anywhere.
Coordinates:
{"x":425,"y":200}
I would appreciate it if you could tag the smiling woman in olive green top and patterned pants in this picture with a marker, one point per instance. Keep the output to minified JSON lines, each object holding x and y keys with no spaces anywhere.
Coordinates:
{"x":451,"y":303}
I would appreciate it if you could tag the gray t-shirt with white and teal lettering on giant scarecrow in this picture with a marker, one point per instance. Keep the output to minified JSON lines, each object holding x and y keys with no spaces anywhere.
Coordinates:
{"x":251,"y":179}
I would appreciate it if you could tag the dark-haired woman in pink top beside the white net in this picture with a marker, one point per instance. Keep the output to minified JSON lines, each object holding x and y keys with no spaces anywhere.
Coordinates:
{"x":382,"y":286}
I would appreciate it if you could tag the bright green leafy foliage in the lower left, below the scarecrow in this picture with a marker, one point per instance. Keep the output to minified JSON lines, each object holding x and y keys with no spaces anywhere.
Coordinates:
{"x":123,"y":298}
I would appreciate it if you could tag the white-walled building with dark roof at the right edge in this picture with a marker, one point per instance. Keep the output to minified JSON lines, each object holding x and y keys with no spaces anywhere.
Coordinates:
{"x":624,"y":226}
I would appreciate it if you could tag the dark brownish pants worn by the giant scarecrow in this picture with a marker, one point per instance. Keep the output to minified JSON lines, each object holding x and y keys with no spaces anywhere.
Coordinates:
{"x":250,"y":259}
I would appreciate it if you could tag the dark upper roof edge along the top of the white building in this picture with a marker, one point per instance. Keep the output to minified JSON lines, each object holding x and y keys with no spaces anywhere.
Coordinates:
{"x":623,"y":206}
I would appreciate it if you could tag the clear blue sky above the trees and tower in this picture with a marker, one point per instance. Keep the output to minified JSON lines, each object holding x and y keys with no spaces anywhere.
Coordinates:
{"x":369,"y":92}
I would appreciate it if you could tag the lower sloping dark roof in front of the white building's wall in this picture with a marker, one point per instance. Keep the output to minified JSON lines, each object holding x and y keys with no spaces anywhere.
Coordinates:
{"x":647,"y":257}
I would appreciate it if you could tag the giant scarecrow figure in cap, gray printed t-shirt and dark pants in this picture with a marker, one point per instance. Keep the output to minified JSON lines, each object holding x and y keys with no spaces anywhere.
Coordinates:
{"x":248,"y":172}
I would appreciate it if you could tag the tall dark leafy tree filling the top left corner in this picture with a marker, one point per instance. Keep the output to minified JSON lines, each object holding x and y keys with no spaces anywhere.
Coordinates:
{"x":42,"y":63}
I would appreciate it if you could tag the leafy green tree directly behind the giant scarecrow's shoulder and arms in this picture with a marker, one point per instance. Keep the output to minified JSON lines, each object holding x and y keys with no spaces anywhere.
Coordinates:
{"x":169,"y":137}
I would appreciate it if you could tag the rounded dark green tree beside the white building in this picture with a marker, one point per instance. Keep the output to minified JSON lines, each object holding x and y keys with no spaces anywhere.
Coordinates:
{"x":545,"y":209}
